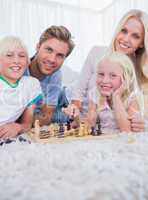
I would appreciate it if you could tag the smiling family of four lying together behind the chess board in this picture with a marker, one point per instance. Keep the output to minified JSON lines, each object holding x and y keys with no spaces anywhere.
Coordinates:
{"x":112,"y":85}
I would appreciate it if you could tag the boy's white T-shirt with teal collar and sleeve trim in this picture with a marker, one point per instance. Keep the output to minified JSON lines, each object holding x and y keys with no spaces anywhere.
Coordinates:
{"x":14,"y":99}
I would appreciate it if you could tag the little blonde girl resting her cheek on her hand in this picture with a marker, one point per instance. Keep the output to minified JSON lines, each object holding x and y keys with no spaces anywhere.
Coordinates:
{"x":119,"y":95}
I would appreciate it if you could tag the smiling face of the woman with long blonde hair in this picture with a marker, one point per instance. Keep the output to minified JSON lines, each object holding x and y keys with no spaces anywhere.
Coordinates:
{"x":131,"y":36}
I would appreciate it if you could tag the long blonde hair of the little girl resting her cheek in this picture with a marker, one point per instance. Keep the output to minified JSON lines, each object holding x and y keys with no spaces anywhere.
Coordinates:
{"x":129,"y":76}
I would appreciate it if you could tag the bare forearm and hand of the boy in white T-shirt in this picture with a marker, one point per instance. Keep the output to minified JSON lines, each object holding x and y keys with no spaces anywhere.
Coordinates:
{"x":11,"y":130}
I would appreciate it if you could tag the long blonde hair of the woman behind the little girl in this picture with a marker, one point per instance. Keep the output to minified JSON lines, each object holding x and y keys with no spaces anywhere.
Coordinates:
{"x":141,"y":53}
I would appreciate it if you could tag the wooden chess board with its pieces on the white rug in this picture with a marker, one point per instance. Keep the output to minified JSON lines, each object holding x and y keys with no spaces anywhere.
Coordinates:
{"x":56,"y":133}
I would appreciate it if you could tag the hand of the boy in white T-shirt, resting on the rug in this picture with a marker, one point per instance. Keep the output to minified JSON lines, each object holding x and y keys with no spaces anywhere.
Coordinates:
{"x":10,"y":130}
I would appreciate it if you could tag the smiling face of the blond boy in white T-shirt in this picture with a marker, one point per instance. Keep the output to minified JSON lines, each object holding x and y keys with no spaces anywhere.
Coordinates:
{"x":13,"y":64}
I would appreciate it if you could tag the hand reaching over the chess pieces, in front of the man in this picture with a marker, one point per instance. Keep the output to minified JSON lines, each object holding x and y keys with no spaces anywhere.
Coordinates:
{"x":72,"y":110}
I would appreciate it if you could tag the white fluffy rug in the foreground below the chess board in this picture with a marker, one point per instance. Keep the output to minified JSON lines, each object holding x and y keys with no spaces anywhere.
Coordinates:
{"x":101,"y":169}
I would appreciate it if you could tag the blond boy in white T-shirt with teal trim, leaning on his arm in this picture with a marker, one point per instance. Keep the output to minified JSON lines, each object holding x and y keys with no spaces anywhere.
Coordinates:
{"x":18,"y":94}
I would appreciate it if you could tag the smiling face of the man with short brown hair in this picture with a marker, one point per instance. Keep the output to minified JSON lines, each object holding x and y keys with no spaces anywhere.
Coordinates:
{"x":51,"y":55}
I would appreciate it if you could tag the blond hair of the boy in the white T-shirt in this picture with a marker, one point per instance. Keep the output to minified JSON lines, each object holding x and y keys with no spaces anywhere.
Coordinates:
{"x":9,"y":43}
